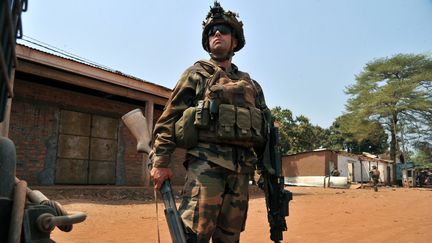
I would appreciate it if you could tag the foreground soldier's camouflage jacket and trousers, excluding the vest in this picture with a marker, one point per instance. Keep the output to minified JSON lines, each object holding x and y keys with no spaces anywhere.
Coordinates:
{"x":215,"y":195}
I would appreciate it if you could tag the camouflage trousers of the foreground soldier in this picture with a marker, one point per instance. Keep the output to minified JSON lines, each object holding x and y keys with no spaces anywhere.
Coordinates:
{"x":215,"y":202}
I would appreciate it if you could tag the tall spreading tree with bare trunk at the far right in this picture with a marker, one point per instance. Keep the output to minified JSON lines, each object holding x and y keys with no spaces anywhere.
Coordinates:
{"x":396,"y":92}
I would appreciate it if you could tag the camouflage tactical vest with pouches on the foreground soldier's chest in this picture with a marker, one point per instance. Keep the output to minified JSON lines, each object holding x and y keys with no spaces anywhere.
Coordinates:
{"x":226,"y":112}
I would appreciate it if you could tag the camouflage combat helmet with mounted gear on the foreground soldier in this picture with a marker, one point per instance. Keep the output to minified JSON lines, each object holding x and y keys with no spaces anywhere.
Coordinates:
{"x":217,"y":15}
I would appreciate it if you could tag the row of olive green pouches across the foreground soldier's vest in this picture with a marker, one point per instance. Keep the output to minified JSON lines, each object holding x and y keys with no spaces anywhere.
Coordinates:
{"x":233,"y":125}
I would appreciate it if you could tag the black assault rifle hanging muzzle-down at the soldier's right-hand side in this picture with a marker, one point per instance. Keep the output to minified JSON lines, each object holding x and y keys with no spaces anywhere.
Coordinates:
{"x":272,"y":182}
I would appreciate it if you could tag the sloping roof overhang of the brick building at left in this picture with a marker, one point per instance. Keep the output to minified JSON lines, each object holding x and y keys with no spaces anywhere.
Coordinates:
{"x":60,"y":69}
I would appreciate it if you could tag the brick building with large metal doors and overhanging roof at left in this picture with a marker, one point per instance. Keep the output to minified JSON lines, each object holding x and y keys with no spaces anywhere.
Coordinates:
{"x":65,"y":121}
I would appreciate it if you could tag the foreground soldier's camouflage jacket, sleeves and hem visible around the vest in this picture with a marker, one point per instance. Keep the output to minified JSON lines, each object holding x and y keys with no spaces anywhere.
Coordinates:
{"x":188,"y":90}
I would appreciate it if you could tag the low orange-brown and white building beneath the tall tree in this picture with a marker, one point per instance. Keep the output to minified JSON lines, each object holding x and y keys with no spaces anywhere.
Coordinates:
{"x":319,"y":168}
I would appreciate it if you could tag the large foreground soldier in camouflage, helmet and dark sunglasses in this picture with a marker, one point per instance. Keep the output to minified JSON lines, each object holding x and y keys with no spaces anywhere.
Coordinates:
{"x":218,"y":114}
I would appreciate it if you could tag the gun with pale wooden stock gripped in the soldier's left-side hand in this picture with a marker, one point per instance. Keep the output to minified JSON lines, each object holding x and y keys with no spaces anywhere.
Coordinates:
{"x":137,"y":124}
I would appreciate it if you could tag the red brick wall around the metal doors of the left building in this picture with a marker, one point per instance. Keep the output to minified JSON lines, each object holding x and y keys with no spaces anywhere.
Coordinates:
{"x":34,"y":129}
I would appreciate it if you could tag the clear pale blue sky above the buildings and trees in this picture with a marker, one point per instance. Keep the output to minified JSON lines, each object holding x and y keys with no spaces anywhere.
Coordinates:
{"x":303,"y":53}
